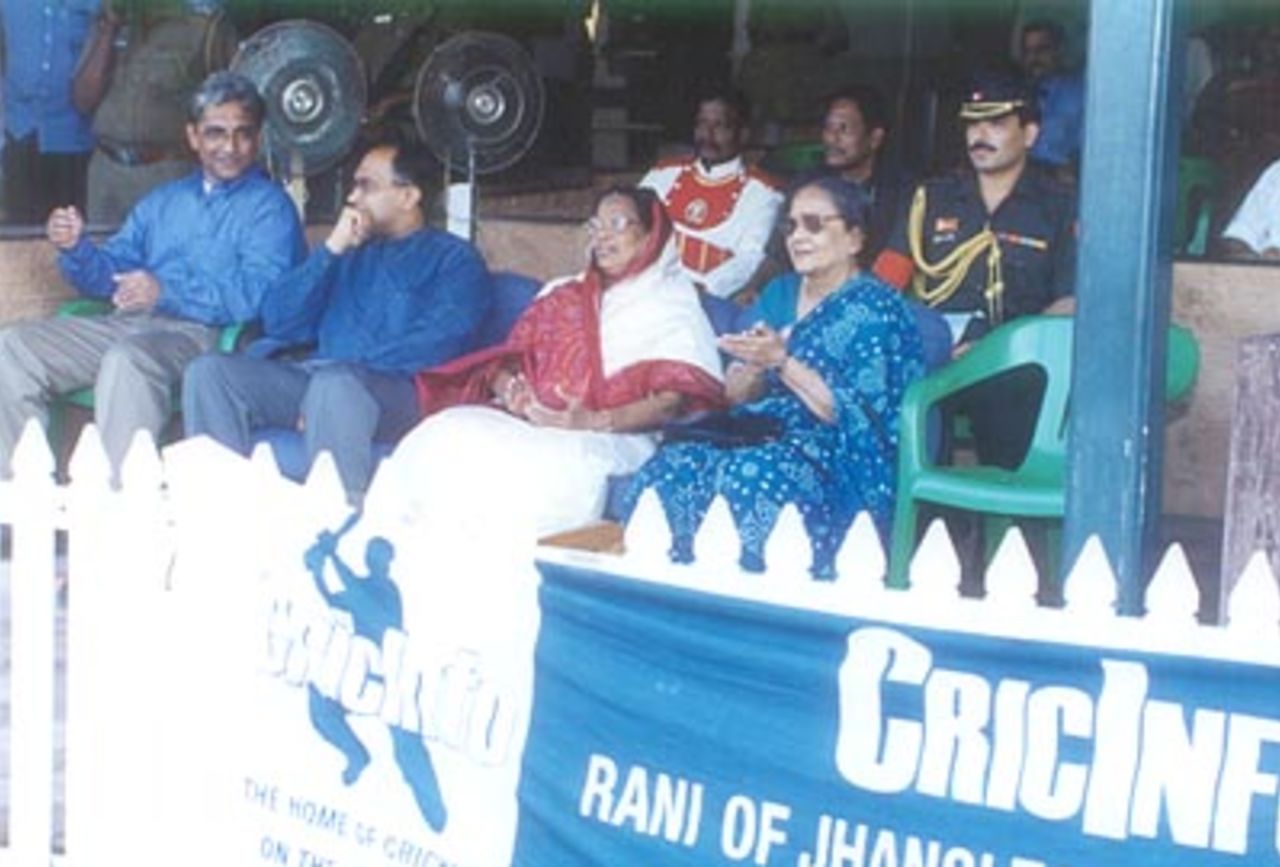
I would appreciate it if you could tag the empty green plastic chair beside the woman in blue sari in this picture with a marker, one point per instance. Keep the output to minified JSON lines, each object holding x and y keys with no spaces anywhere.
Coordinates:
{"x":1037,"y":487}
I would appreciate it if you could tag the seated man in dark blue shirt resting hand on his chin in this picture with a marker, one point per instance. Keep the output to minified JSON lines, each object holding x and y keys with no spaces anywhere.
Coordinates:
{"x":383,"y":298}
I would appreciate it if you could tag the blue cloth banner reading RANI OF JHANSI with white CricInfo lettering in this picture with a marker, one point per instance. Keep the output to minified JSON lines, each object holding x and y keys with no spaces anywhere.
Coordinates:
{"x":679,"y":728}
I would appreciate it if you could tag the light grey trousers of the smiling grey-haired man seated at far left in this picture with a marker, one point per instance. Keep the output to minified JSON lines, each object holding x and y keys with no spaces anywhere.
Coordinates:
{"x":134,"y":362}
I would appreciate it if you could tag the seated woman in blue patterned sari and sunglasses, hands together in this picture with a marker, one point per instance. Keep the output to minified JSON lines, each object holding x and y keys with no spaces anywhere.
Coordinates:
{"x":829,"y":359}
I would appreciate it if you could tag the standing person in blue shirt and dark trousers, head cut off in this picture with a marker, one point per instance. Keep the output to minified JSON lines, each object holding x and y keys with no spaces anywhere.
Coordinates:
{"x":48,"y":142}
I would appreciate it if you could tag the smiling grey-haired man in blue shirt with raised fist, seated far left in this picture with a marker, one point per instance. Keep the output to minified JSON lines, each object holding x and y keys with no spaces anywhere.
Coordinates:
{"x":196,"y":254}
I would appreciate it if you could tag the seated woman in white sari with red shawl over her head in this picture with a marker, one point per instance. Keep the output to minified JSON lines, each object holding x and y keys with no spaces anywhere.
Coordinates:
{"x":520,"y":440}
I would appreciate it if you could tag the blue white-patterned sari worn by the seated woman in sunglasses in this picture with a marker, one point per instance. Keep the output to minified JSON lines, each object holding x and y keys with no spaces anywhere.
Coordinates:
{"x":865,"y":344}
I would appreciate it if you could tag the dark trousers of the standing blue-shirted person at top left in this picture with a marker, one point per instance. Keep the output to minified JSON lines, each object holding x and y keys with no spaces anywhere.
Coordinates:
{"x":36,"y":184}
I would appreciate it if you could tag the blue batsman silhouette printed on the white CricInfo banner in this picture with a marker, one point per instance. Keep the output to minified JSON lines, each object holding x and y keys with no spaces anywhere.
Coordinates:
{"x":374,"y":605}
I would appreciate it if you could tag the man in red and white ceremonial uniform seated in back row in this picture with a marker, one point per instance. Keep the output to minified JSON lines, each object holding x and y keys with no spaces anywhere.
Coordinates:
{"x":724,"y":211}
